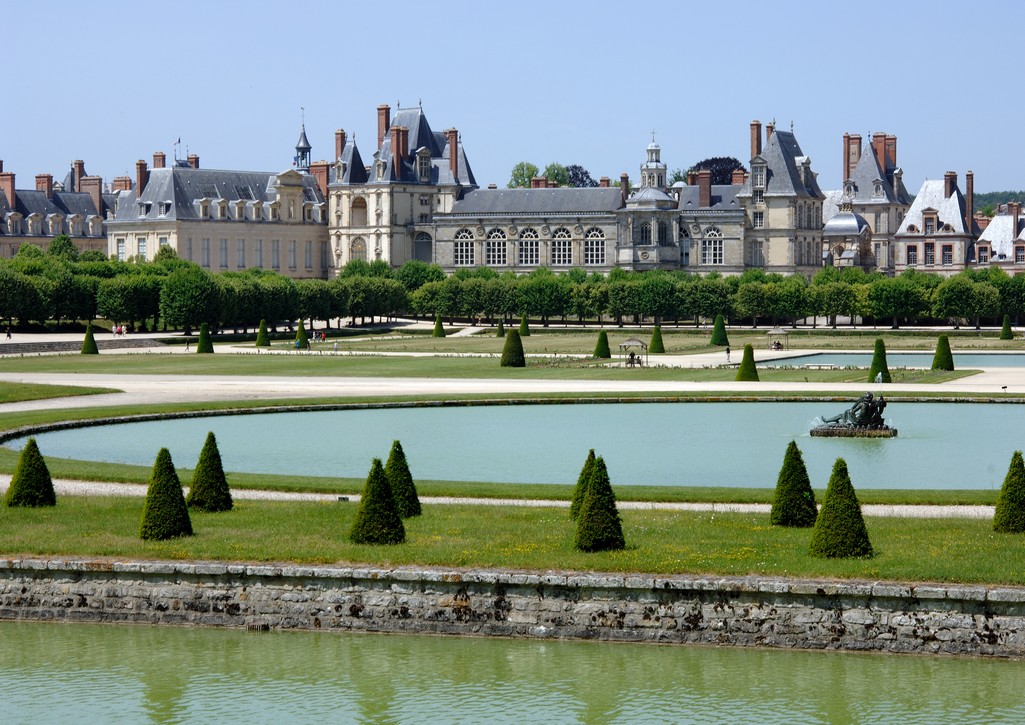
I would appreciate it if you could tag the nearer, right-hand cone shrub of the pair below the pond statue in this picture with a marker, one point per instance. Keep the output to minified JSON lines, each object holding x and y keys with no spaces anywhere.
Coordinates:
{"x":840,"y":532}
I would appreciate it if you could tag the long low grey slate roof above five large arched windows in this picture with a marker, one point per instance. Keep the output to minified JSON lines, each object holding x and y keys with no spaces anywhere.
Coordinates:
{"x":540,"y":202}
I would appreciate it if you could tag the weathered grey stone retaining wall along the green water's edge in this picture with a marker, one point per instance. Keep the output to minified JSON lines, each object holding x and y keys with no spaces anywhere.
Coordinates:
{"x":761,"y":612}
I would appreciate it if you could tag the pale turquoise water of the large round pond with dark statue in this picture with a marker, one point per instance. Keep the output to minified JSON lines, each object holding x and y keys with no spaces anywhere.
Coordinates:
{"x":940,"y":447}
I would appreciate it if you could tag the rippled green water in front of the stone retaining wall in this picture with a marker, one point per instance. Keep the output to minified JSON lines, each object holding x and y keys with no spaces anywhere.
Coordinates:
{"x":59,"y":673}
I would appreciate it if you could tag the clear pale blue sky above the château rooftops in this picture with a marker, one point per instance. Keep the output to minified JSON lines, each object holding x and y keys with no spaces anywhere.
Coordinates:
{"x":573,"y":83}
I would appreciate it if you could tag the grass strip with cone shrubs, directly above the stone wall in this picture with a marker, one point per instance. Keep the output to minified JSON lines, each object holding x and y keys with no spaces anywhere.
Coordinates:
{"x":662,"y":543}
